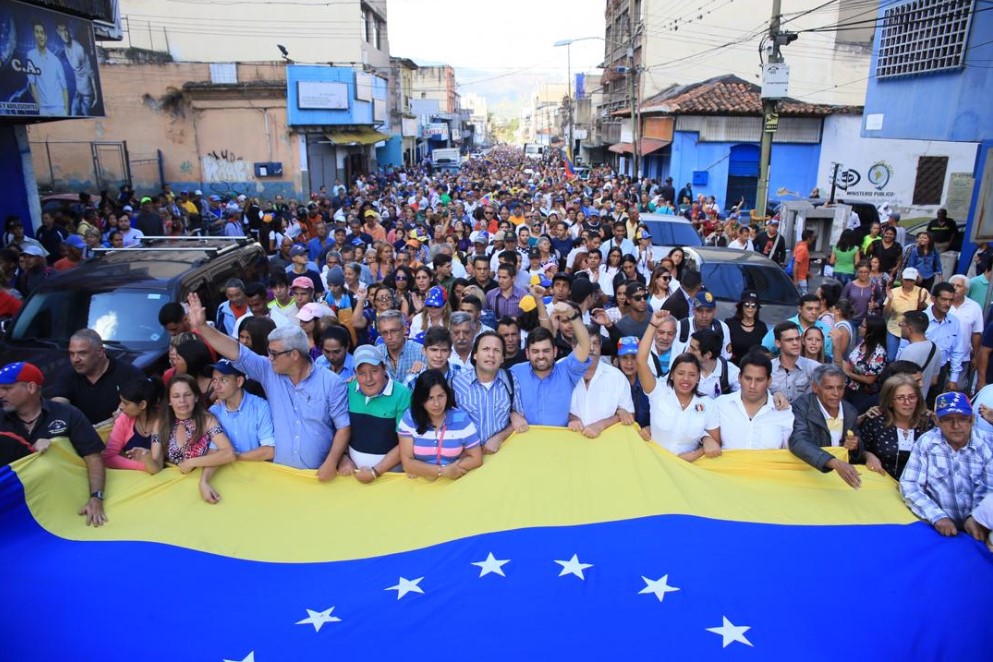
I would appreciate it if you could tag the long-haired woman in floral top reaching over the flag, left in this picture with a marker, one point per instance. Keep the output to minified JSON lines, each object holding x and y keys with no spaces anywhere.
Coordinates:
{"x":187,"y":431}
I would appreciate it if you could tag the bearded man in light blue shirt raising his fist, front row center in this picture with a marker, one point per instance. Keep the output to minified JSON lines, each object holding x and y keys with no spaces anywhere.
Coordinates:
{"x":546,"y":386}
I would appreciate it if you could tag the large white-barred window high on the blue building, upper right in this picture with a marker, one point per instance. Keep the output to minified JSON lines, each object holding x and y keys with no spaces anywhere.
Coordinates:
{"x":924,"y":36}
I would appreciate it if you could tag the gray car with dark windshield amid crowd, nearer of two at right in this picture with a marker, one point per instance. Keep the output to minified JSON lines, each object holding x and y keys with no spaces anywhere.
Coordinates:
{"x":727,"y":272}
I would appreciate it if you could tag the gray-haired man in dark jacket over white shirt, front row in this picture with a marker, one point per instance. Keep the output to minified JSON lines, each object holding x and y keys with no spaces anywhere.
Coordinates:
{"x":822,"y":419}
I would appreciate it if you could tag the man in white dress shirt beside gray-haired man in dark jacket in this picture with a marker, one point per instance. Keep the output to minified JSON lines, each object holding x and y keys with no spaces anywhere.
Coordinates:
{"x":748,"y":418}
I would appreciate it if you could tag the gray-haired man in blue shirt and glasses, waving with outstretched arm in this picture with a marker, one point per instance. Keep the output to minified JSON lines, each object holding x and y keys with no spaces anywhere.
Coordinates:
{"x":309,"y":406}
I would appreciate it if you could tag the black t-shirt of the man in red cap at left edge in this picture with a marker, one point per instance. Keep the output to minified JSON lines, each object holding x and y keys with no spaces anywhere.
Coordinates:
{"x":57,"y":420}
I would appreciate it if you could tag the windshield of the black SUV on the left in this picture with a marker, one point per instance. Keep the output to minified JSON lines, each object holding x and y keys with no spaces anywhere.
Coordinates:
{"x":128,"y":317}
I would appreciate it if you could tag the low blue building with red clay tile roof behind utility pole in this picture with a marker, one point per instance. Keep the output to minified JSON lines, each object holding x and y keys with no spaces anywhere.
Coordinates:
{"x":708,"y":133}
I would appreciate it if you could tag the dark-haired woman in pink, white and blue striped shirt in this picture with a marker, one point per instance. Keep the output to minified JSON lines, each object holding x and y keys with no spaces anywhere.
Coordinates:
{"x":437,"y":440}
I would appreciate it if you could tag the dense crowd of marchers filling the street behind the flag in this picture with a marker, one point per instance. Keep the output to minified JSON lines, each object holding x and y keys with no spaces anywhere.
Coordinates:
{"x":412,"y":321}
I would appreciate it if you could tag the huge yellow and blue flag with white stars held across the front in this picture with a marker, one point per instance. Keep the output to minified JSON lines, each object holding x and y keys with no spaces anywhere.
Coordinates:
{"x":560,"y":547}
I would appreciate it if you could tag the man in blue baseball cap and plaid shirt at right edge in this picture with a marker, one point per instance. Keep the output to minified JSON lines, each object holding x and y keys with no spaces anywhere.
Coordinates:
{"x":950,"y":469}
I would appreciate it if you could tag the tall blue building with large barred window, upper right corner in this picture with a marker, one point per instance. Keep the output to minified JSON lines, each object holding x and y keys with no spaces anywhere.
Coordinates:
{"x":931,"y":80}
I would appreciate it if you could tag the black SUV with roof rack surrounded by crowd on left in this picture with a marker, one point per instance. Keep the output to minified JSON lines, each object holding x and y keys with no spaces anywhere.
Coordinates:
{"x":119,"y":293}
